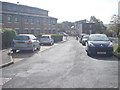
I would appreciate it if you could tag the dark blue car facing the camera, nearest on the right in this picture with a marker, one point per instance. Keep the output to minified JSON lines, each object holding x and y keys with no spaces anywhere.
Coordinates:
{"x":99,"y":44}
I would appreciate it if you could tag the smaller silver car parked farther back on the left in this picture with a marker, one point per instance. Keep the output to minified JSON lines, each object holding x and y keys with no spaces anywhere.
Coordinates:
{"x":46,"y":39}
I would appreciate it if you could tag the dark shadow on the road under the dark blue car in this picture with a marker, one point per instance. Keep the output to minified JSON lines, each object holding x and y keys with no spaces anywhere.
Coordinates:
{"x":105,"y":58}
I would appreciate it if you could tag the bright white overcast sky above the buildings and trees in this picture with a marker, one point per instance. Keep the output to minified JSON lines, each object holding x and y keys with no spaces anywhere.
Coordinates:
{"x":75,"y":10}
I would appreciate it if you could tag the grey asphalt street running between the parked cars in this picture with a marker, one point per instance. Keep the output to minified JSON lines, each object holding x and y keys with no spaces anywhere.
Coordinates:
{"x":65,"y":65}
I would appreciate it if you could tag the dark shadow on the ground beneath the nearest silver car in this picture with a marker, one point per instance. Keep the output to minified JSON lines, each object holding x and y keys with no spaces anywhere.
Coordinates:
{"x":24,"y":54}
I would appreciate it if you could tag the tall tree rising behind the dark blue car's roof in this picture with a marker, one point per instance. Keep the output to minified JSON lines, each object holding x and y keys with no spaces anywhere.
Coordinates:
{"x":99,"y":26}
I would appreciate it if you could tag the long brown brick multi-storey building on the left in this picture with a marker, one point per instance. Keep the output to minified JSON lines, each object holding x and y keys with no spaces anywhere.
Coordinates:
{"x":26,"y":19}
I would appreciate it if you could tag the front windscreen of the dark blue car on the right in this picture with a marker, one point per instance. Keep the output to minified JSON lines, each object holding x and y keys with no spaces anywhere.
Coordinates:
{"x":98,"y":38}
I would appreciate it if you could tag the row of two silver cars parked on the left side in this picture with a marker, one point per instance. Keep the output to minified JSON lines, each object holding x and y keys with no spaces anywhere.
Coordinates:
{"x":30,"y":42}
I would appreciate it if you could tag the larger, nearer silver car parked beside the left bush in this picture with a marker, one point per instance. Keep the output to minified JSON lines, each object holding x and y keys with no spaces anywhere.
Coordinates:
{"x":25,"y":42}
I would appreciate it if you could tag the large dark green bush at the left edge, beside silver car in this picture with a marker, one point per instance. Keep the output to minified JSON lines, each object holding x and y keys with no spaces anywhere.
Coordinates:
{"x":7,"y":37}
